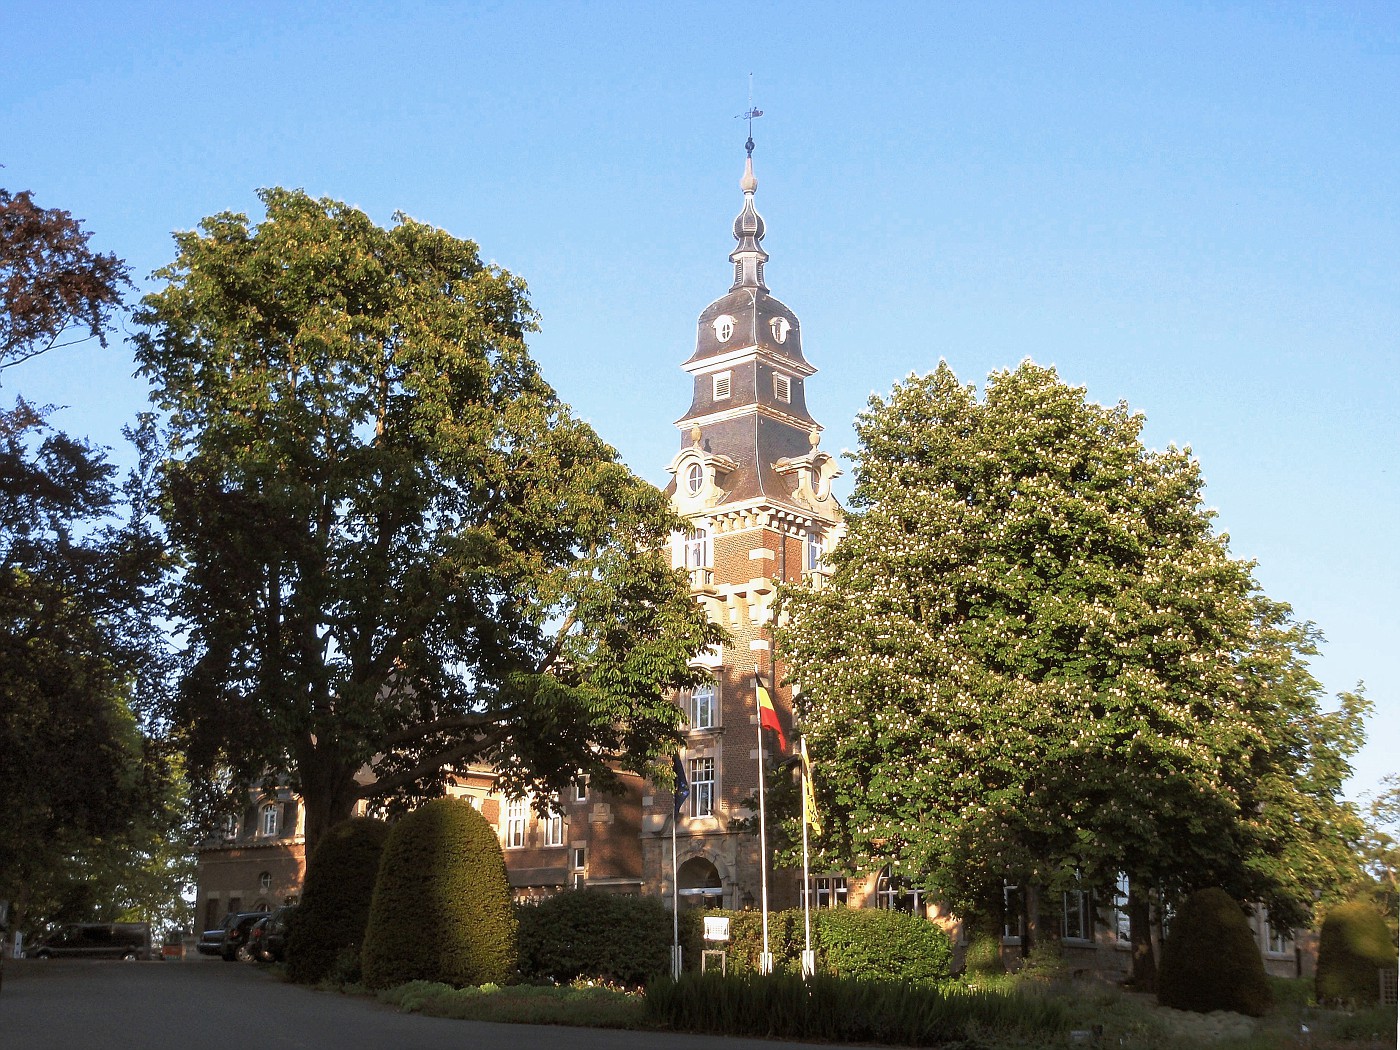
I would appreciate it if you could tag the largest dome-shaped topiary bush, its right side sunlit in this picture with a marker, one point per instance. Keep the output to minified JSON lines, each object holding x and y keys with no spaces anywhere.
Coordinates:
{"x":442,"y":906}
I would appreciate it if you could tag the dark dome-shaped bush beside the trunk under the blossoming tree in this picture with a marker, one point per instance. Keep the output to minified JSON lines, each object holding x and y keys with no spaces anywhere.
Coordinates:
{"x":1210,"y":960}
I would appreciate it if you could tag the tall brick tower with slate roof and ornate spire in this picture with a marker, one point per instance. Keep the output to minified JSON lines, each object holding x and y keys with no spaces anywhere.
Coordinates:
{"x":755,"y":491}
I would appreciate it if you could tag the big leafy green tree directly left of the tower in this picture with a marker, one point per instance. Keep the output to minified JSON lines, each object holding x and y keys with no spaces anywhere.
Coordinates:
{"x":401,"y":549}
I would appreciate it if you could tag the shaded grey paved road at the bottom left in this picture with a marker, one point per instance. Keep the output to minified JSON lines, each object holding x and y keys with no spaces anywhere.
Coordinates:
{"x":208,"y":1004}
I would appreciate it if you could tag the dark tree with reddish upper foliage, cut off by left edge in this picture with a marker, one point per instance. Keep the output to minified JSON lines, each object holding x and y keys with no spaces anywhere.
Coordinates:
{"x":87,"y":796}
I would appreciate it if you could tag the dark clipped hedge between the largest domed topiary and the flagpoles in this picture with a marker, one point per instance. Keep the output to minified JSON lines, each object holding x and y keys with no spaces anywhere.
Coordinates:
{"x":594,"y":934}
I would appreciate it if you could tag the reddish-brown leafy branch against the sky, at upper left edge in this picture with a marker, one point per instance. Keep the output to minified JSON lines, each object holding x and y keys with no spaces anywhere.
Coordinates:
{"x":54,"y":289}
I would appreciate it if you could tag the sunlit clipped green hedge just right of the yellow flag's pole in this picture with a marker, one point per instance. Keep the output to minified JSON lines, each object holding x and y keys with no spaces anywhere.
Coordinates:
{"x":873,"y":944}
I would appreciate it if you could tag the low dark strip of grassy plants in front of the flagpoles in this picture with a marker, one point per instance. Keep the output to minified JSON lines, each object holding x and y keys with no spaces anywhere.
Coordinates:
{"x":825,"y":1009}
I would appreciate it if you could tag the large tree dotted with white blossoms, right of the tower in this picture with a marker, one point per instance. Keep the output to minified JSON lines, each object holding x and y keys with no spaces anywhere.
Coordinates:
{"x":1039,"y":664}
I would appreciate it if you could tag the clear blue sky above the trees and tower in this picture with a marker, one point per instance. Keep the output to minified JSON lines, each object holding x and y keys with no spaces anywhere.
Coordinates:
{"x":1191,"y":208}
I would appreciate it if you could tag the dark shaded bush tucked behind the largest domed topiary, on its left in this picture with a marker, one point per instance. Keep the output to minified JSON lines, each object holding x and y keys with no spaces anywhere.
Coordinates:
{"x":335,"y":899}
